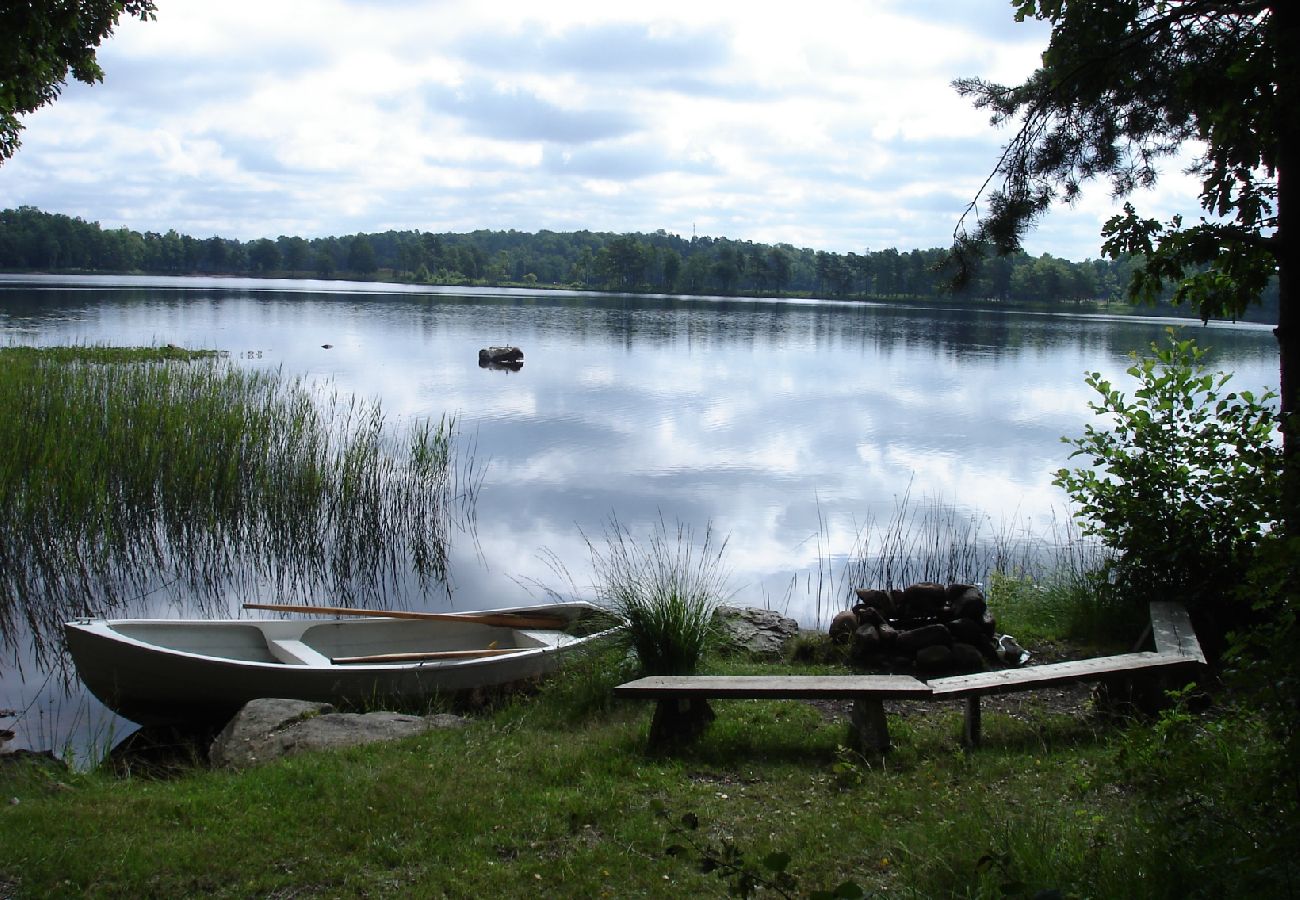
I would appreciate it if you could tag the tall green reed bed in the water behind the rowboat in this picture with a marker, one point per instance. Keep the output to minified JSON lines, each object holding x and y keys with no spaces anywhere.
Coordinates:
{"x":133,"y":471}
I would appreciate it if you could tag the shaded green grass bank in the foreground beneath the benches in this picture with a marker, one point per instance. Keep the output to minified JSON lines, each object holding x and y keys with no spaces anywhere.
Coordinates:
{"x":557,"y":795}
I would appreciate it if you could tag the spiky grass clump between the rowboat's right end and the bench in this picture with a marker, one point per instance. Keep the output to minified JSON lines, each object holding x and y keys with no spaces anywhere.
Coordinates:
{"x":666,"y":589}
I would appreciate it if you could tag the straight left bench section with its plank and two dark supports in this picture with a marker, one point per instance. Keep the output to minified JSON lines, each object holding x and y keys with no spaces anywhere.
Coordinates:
{"x":683,"y":709}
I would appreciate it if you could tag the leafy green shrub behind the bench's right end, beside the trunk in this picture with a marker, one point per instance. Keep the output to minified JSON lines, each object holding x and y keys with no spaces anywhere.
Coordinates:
{"x":1182,"y":482}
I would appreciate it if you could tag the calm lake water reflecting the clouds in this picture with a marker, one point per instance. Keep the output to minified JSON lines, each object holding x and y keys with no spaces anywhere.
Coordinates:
{"x":790,"y":426}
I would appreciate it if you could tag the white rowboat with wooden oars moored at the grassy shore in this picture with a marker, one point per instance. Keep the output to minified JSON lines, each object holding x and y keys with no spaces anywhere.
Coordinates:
{"x":167,"y":670}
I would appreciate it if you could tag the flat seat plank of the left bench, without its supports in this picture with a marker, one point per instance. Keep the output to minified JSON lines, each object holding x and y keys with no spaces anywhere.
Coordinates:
{"x":775,"y":687}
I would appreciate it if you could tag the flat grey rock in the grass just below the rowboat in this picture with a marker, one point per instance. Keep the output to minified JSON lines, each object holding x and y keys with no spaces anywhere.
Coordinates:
{"x":267,"y":730}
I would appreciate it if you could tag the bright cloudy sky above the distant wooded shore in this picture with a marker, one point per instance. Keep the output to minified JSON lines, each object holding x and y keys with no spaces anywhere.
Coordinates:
{"x":824,"y":124}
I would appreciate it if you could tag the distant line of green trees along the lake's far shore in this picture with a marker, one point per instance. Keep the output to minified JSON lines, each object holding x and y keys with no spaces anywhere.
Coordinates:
{"x":32,"y":240}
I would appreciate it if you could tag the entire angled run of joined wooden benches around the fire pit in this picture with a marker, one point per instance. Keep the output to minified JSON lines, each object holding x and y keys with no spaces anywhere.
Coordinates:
{"x":683,"y":709}
